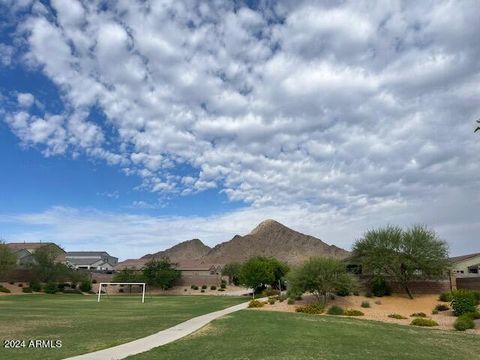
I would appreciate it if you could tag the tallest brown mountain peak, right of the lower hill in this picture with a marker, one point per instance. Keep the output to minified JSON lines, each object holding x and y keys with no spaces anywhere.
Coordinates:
{"x":270,"y":238}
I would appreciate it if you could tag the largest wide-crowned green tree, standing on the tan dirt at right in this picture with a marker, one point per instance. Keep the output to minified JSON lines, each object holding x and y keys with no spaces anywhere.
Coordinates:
{"x":404,"y":255}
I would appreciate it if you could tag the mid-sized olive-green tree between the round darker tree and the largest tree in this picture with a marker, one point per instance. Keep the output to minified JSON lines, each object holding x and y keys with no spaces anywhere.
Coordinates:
{"x":320,"y":276}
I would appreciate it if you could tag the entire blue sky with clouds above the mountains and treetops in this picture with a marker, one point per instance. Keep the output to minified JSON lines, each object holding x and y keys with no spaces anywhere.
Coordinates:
{"x":131,"y":125}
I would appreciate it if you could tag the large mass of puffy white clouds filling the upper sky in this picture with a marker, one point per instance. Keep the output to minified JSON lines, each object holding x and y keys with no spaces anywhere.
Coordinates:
{"x":337,"y":106}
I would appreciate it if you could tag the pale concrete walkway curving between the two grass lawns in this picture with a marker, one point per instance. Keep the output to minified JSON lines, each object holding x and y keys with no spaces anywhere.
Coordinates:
{"x":161,"y":338}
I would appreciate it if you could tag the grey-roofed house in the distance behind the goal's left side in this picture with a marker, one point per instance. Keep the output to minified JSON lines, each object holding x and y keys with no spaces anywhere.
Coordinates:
{"x":91,"y":260}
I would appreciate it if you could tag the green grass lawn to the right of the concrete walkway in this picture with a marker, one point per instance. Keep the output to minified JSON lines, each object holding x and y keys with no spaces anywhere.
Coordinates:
{"x":250,"y":334}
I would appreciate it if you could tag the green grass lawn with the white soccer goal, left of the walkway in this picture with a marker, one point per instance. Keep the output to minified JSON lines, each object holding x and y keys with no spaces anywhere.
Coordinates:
{"x":84,"y":325}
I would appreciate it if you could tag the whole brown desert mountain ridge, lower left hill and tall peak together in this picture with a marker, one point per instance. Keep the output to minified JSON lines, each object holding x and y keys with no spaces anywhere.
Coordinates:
{"x":269,"y":238}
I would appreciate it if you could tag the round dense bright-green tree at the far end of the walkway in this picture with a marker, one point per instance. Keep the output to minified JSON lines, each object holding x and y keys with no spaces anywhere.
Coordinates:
{"x":260,"y":270}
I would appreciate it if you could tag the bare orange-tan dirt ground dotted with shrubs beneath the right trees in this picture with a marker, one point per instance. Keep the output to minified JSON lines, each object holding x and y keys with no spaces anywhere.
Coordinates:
{"x":385,"y":306}
